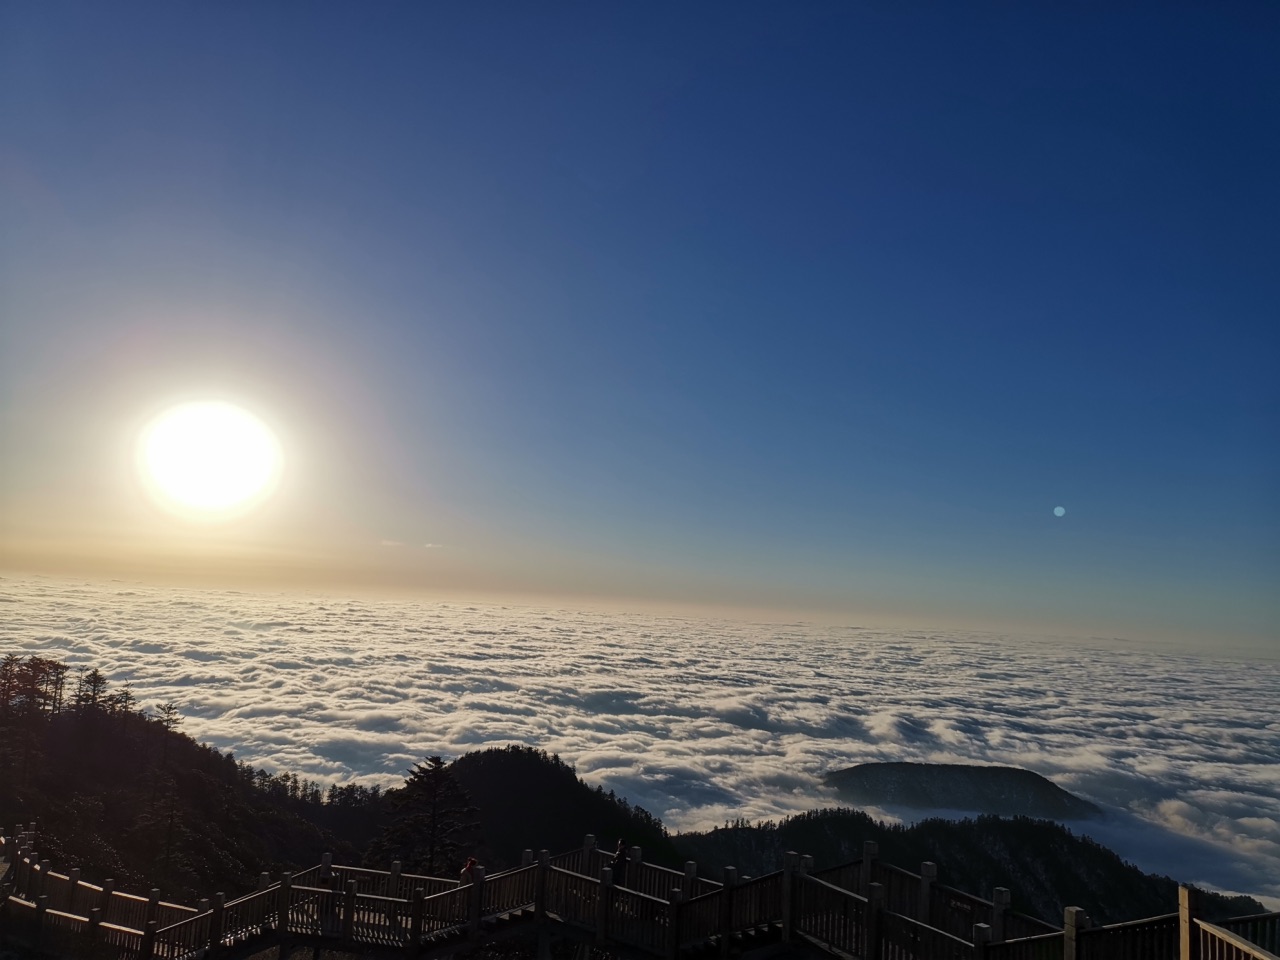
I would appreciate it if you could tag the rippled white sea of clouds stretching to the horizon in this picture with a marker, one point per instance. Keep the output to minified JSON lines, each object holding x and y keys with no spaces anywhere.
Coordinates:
{"x":698,"y":721}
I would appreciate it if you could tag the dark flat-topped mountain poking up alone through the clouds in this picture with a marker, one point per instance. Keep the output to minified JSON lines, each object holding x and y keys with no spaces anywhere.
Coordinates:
{"x":1007,"y":792}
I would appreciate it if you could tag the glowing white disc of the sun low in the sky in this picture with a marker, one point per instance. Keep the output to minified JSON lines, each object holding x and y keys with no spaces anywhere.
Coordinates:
{"x":209,"y":461}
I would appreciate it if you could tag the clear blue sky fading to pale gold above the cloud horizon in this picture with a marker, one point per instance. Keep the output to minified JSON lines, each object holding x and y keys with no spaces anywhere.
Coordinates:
{"x":813,"y":308}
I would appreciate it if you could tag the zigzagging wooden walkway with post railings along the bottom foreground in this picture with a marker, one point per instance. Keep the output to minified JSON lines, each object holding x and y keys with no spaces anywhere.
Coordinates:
{"x":866,"y":909}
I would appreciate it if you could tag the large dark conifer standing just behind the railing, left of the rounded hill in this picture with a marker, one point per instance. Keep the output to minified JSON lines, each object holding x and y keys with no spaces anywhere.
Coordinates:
{"x":432,"y":824}
